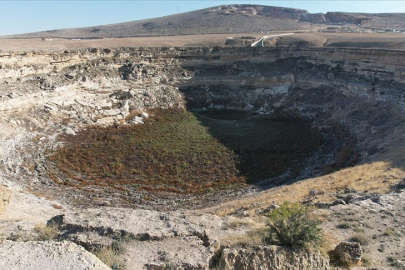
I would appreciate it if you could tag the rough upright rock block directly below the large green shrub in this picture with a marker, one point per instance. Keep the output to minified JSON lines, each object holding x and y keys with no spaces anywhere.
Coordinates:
{"x":271,"y":258}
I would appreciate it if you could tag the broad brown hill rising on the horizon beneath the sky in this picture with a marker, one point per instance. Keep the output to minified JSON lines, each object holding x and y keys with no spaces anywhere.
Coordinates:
{"x":225,"y":19}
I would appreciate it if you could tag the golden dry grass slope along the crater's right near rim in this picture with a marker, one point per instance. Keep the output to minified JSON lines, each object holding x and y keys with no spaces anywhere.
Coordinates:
{"x":372,"y":177}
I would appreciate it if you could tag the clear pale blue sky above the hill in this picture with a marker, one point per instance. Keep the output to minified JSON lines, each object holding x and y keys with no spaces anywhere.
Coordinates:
{"x":18,"y":17}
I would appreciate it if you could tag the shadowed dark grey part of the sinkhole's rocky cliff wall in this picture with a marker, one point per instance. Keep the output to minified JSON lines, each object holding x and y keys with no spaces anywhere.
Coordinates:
{"x":359,"y":90}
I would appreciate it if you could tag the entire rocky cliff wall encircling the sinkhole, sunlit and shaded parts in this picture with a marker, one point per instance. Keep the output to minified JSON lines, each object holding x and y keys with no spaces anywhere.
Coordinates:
{"x":47,"y":93}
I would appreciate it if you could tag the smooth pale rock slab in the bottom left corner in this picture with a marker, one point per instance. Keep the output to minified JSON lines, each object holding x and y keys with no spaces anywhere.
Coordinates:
{"x":47,"y":255}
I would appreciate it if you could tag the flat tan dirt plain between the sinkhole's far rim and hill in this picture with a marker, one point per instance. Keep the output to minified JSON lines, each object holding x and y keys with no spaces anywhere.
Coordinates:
{"x":394,"y":41}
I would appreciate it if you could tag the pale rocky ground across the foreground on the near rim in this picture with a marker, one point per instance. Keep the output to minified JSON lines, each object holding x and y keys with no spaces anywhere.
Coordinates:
{"x":190,"y":240}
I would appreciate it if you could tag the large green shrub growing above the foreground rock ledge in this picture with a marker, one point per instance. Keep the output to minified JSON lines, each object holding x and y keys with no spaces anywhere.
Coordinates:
{"x":292,"y":225}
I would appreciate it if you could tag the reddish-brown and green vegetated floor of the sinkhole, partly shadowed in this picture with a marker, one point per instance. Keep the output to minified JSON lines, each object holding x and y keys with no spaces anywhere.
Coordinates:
{"x":183,"y":152}
